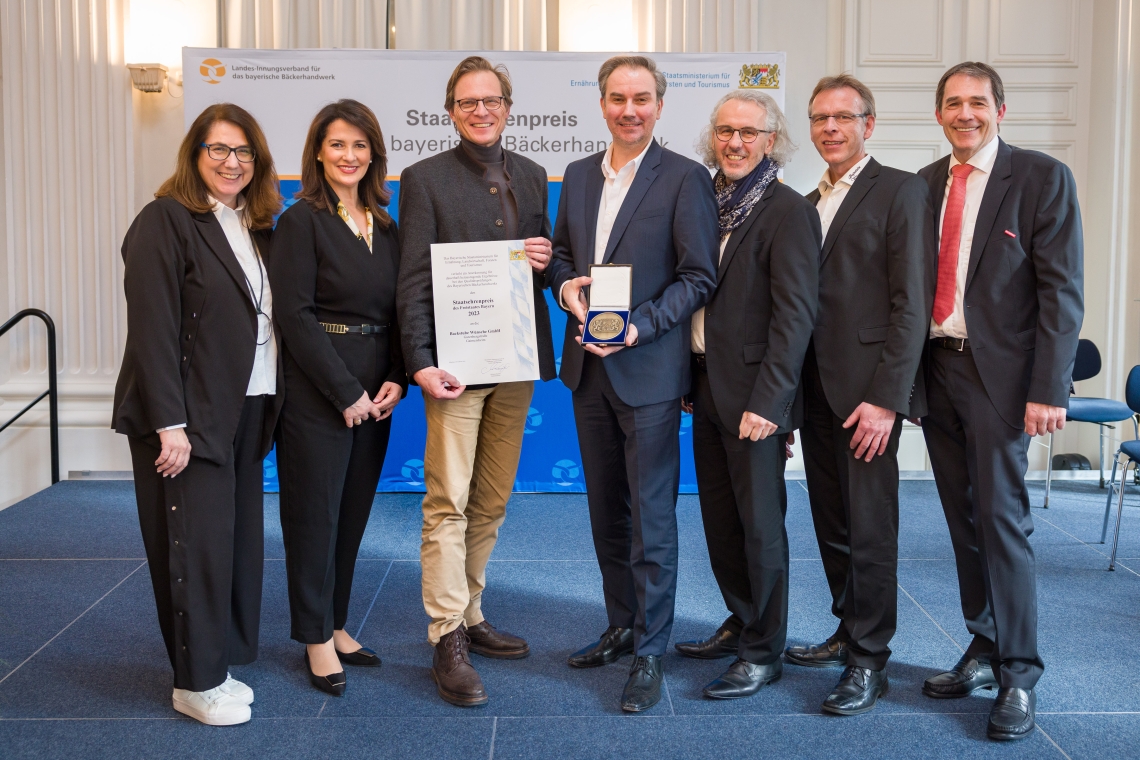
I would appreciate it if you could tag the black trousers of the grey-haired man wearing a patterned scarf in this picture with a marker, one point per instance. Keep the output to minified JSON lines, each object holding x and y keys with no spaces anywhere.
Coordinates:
{"x":744,"y":504}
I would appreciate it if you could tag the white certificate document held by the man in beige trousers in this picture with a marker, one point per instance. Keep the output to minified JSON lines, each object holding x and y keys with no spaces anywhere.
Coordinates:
{"x":485,"y":312}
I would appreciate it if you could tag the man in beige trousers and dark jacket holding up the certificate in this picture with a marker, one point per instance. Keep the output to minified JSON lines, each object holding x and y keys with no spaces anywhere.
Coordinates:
{"x":476,"y":192}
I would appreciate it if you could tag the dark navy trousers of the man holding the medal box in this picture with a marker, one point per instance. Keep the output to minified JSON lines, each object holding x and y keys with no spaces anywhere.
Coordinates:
{"x":631,"y":459}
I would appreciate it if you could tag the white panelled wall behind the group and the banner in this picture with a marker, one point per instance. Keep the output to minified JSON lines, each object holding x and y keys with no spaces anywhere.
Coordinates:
{"x":83,"y":152}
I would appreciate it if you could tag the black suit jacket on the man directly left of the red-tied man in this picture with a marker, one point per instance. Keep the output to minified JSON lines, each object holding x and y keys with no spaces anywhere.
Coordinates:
{"x":875,"y":315}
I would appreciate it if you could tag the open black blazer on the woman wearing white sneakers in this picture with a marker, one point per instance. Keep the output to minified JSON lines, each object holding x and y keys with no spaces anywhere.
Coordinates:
{"x":192,"y":332}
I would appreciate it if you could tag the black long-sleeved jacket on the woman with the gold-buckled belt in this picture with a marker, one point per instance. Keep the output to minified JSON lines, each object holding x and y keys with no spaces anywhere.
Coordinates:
{"x":322,"y":273}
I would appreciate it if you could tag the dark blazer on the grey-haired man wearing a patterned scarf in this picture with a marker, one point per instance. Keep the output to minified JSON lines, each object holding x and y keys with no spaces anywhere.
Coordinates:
{"x":761,"y":317}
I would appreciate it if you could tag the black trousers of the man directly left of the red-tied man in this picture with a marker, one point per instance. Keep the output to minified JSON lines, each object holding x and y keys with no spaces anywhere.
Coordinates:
{"x":856,"y":511}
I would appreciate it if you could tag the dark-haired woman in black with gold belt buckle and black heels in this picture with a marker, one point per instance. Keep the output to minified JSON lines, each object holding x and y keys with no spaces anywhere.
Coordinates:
{"x":336,"y":260}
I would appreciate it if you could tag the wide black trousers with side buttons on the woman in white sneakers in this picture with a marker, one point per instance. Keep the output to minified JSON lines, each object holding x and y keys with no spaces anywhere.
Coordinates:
{"x":205,"y":537}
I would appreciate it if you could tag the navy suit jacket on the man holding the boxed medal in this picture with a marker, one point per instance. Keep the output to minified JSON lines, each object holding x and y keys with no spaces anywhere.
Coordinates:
{"x":667,"y":230}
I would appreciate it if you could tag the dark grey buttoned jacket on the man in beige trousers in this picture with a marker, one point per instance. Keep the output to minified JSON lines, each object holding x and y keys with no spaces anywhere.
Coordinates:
{"x":446,"y":200}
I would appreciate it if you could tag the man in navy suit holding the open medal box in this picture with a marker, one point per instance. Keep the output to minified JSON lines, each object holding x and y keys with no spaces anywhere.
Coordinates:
{"x":639,"y":226}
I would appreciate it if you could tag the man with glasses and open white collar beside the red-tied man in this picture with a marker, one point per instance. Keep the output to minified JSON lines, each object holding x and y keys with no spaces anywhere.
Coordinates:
{"x":860,"y":382}
